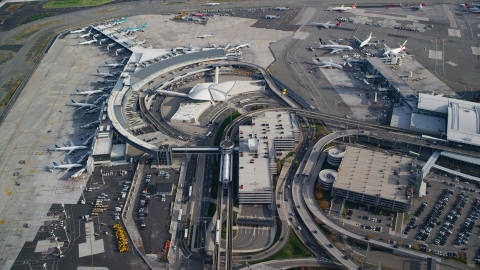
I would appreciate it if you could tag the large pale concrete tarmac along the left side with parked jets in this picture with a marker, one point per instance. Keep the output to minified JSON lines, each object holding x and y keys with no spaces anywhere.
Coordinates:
{"x":38,"y":120}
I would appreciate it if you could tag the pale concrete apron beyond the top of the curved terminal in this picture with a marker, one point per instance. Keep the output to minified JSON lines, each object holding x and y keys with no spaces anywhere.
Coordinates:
{"x":165,"y":32}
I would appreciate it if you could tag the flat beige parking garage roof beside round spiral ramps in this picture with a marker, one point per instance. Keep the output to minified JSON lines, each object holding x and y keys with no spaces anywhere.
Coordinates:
{"x":373,"y":173}
